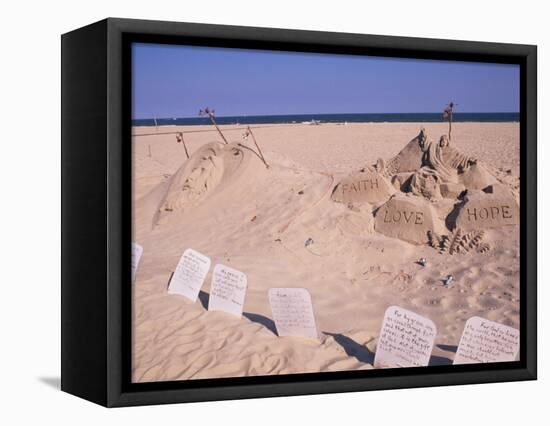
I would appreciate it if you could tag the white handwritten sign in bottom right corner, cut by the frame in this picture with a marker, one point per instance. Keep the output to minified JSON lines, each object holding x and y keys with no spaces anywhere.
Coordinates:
{"x":487,"y":341}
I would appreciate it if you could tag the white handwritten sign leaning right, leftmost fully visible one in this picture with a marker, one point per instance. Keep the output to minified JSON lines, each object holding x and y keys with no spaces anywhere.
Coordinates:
{"x":190,"y":274}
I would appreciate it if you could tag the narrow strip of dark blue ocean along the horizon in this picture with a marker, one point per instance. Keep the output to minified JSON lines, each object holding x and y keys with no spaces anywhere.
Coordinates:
{"x":485,"y":117}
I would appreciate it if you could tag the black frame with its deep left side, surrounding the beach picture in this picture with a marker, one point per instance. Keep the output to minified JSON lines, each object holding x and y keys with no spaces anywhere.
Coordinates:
{"x":96,"y":311}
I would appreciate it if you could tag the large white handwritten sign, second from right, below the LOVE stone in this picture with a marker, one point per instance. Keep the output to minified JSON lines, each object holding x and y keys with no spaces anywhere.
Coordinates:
{"x":406,"y":339}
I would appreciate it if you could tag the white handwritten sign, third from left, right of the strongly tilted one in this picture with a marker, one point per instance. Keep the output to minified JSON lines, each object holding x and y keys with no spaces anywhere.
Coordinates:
{"x":227,"y":291}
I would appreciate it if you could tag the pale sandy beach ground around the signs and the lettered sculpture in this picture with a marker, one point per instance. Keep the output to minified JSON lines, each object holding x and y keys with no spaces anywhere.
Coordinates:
{"x":256,"y":220}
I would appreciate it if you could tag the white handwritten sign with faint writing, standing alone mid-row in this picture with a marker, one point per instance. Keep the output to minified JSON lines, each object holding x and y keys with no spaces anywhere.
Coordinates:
{"x":293,"y":312}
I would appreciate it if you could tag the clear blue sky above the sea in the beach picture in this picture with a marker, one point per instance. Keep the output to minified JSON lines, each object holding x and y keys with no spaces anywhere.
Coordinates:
{"x":176,"y":81}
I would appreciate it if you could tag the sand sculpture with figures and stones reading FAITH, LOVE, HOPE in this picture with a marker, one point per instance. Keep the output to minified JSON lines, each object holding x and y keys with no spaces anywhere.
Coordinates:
{"x":422,"y":173}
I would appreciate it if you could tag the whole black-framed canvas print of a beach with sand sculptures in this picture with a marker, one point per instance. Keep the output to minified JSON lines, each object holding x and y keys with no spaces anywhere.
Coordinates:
{"x":253,"y":212}
